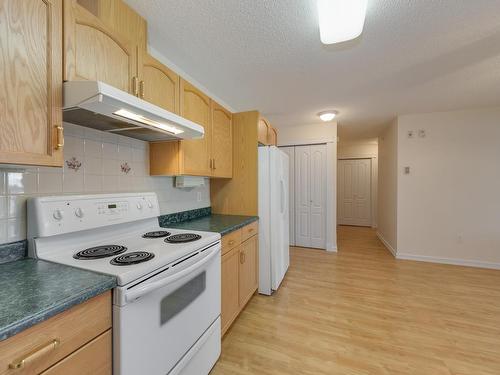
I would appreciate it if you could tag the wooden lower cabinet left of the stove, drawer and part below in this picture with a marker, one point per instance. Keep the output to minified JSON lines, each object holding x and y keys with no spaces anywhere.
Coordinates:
{"x":67,"y":343}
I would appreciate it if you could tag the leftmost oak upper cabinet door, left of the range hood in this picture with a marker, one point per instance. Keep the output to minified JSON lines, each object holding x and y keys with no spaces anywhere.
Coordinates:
{"x":31,"y":75}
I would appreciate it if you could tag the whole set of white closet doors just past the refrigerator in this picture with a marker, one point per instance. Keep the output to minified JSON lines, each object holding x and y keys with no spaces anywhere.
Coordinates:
{"x":310,"y":196}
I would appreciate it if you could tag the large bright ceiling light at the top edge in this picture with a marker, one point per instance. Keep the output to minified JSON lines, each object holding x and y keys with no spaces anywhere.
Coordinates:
{"x":341,"y":20}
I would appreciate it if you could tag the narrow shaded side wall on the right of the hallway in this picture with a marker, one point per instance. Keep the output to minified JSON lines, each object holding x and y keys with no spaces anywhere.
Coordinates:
{"x":387,"y":186}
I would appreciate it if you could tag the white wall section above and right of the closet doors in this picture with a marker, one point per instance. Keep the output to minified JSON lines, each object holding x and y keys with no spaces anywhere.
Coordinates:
{"x":315,"y":134}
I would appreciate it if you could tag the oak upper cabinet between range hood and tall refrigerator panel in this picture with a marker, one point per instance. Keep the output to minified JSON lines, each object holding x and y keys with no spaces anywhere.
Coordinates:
{"x":210,"y":156}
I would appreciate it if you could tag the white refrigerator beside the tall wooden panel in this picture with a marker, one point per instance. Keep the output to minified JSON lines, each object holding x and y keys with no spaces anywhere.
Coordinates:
{"x":274,"y":255}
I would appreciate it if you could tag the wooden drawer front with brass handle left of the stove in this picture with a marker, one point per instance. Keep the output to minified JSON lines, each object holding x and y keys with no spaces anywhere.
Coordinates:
{"x":70,"y":330}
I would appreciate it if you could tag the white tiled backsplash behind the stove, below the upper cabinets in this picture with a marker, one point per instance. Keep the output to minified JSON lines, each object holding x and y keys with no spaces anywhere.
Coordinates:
{"x":101,"y":156}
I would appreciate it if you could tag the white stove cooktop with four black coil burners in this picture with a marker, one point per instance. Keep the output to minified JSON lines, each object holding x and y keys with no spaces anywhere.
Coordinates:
{"x":125,"y":253}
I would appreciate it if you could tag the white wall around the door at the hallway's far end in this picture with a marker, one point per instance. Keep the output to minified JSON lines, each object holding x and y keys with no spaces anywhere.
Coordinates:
{"x":363,"y":149}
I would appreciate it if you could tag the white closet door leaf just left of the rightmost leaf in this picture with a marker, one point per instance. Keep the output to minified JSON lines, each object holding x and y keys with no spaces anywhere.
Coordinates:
{"x":303,"y":196}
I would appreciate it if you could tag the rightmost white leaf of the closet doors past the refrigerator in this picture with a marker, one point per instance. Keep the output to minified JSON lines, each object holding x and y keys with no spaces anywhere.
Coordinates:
{"x":318,"y":196}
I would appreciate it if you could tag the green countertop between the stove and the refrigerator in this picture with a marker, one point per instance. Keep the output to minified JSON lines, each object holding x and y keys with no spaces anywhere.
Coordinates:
{"x":222,"y":224}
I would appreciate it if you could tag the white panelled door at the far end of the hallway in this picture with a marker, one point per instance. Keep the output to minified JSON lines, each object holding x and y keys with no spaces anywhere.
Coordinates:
{"x":354,"y":192}
